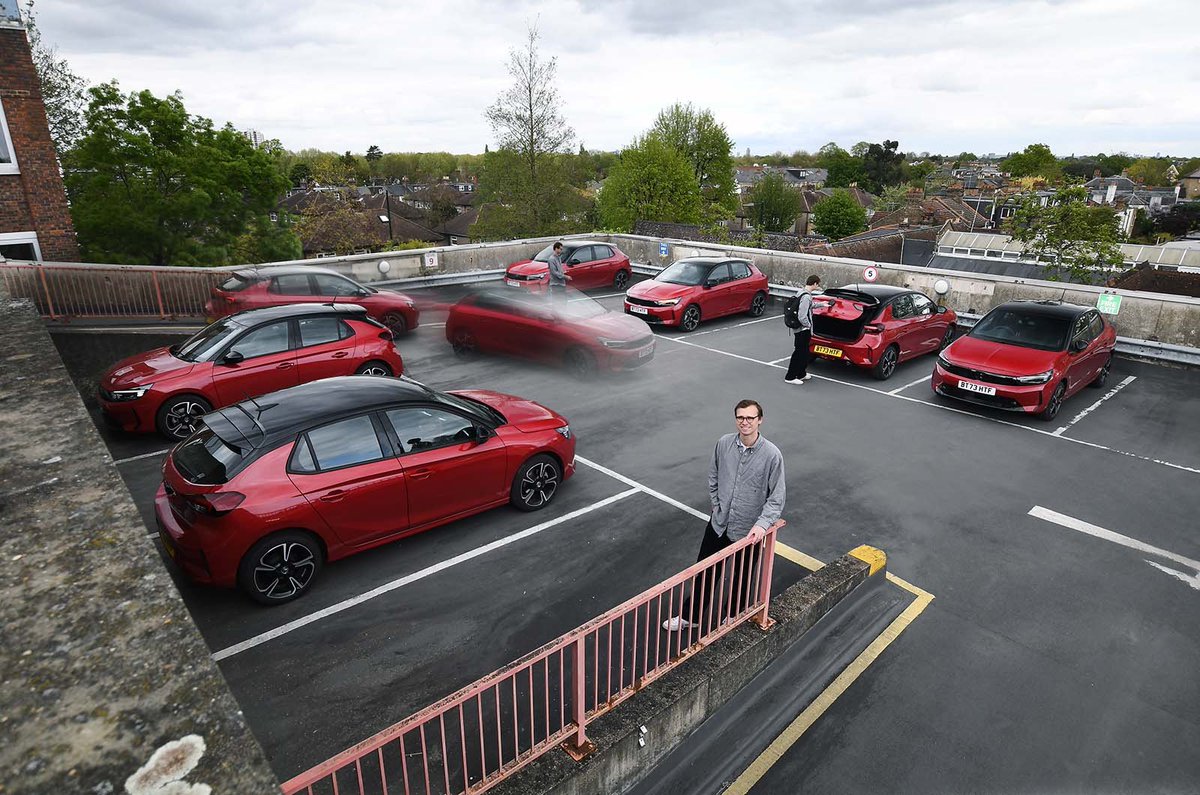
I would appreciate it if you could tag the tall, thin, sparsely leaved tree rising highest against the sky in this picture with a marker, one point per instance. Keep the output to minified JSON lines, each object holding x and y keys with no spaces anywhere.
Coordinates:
{"x":527,"y":123}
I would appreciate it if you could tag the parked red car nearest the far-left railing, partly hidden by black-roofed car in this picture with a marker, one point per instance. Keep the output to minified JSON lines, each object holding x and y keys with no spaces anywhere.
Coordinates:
{"x":280,"y":285}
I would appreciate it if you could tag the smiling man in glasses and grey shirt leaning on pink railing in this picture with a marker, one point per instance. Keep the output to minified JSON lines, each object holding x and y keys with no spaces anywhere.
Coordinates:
{"x":747,"y":489}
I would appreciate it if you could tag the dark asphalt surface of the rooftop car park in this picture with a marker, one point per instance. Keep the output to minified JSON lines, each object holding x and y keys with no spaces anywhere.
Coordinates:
{"x":1051,"y":660}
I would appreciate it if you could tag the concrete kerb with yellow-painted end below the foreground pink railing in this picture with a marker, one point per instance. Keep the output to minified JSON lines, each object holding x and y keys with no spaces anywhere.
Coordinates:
{"x":674,"y":707}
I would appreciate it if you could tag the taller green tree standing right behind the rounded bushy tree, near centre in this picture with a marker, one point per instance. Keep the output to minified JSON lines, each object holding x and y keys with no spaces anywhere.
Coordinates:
{"x":705,"y":144}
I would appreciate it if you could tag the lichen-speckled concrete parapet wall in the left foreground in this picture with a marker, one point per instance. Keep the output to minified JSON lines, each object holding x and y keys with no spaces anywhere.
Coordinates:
{"x":101,"y":664}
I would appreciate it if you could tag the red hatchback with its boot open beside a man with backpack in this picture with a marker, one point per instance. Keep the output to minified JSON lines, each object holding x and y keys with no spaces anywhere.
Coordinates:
{"x":878,"y":327}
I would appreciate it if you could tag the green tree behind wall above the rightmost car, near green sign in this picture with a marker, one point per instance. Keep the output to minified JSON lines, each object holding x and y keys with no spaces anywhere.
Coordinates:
{"x":1067,"y":236}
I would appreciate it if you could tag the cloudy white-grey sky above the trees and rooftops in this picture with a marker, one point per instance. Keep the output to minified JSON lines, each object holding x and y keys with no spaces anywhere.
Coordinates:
{"x":986,"y":76}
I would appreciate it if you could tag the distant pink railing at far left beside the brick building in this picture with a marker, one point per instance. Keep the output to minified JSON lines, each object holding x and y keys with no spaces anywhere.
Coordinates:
{"x":65,"y":291}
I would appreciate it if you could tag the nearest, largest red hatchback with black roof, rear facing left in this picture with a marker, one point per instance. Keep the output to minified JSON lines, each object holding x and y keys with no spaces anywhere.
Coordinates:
{"x":271,"y":491}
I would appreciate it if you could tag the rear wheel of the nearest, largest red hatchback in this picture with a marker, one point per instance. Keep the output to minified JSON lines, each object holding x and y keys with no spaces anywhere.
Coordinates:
{"x":280,"y":567}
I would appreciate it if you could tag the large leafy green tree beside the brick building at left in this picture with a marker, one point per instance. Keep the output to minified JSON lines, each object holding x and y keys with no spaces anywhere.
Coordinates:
{"x":153,"y":186}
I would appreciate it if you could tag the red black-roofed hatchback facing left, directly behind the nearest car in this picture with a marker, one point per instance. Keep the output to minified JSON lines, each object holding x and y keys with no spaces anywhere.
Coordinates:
{"x":239,"y":357}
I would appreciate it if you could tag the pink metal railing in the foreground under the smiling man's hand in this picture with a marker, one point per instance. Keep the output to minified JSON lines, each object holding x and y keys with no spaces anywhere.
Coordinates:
{"x":472,"y":740}
